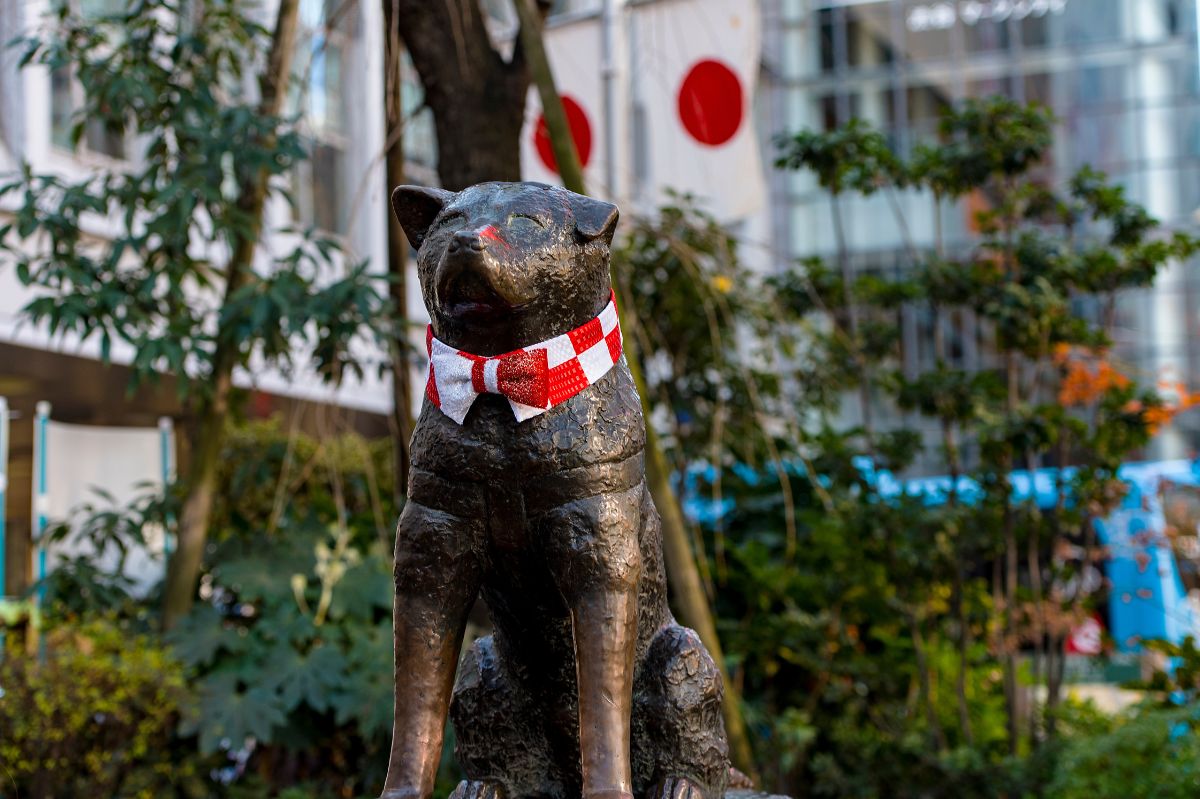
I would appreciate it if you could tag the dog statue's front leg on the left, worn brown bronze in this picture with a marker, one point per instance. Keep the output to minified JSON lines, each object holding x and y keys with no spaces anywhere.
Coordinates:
{"x":439,"y":573}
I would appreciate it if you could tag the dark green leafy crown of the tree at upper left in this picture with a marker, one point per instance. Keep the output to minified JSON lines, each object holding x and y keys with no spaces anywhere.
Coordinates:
{"x":171,"y":217}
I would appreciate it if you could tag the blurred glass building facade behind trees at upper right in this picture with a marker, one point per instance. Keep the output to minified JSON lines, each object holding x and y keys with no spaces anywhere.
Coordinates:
{"x":1121,"y":76}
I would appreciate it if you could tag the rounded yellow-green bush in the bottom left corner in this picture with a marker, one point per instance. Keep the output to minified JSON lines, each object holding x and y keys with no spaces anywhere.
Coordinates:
{"x":94,"y":718}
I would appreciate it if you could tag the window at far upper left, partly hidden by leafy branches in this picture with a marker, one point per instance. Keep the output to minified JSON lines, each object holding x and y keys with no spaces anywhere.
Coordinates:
{"x":97,"y":137}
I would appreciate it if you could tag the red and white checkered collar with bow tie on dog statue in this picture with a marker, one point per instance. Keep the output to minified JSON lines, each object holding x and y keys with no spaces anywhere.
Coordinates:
{"x":535,"y":379}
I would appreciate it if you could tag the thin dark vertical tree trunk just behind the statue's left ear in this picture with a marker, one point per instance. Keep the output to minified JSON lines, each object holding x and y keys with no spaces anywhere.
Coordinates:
{"x":398,"y":254}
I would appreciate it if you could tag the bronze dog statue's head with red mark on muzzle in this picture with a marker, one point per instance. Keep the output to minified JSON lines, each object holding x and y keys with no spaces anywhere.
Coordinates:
{"x":506,"y":266}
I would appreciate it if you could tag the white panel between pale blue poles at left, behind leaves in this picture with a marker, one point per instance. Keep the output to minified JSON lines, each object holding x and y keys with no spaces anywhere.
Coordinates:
{"x":125,"y":462}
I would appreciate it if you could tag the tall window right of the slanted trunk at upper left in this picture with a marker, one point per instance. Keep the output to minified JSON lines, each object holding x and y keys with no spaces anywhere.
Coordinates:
{"x":322,"y":184}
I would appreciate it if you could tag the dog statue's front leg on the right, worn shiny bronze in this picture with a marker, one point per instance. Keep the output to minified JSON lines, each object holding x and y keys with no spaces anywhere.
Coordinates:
{"x":593,"y":548}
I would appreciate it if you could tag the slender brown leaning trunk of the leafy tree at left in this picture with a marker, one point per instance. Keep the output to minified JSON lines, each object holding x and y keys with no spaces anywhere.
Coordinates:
{"x":179,"y":592}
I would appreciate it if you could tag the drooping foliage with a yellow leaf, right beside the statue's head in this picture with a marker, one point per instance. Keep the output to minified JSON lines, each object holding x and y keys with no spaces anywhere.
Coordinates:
{"x":699,"y":313}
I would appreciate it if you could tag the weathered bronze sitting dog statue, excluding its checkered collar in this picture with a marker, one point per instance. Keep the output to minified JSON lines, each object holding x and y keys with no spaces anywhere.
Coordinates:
{"x":589,"y":687}
